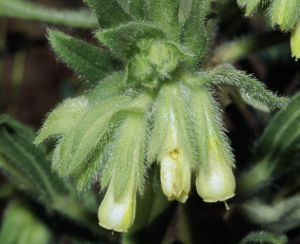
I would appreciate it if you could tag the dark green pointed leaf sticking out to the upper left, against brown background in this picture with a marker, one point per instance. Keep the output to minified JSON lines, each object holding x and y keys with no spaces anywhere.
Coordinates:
{"x":90,"y":62}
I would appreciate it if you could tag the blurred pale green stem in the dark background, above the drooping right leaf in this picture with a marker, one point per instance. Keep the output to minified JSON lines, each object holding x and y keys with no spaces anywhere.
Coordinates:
{"x":231,"y":52}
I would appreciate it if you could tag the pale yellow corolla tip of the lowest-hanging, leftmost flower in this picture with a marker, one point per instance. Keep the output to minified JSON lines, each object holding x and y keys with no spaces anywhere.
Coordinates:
{"x":118,"y":214}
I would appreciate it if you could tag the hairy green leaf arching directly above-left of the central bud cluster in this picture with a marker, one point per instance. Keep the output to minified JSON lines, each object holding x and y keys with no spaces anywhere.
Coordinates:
{"x":122,"y":40}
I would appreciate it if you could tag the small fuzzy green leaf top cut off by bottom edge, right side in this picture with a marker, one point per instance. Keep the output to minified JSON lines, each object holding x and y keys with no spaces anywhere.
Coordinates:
{"x":263,"y":237}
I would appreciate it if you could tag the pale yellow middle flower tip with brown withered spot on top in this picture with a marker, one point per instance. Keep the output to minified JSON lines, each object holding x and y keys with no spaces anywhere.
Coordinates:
{"x":175,"y":176}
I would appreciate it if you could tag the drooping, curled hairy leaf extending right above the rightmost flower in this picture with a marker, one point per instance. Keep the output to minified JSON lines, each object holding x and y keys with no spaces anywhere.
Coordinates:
{"x":252,"y":91}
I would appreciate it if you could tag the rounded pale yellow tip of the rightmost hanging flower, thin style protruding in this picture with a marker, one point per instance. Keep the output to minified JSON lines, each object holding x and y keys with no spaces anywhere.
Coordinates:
{"x":215,"y":182}
